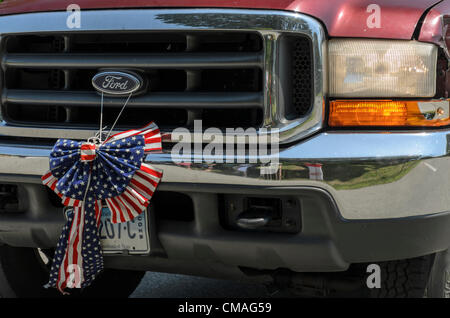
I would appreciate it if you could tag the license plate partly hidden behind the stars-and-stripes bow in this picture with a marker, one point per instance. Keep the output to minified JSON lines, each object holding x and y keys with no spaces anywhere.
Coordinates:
{"x":131,"y":237}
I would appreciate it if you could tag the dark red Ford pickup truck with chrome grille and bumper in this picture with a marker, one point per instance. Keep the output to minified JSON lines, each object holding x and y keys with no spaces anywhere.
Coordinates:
{"x":356,"y":91}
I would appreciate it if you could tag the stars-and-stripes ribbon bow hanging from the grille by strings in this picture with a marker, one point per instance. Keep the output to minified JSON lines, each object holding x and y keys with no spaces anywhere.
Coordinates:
{"x":86,"y":175}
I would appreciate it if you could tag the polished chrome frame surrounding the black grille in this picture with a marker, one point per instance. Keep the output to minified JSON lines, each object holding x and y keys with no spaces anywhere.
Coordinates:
{"x":269,"y":23}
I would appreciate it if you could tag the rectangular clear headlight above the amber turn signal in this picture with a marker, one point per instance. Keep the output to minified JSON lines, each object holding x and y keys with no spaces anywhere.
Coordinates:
{"x":381,"y":68}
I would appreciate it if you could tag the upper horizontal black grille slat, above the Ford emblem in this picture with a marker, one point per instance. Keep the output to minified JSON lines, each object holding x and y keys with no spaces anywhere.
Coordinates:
{"x":141,"y":61}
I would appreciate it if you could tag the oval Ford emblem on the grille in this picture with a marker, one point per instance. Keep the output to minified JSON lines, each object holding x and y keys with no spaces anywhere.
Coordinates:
{"x":116,"y":83}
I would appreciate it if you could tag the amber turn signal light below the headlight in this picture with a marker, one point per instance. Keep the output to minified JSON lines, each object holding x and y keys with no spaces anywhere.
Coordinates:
{"x":389,"y":113}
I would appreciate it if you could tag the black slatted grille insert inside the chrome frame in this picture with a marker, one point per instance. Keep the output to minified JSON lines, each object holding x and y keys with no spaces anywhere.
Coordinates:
{"x":213,"y":76}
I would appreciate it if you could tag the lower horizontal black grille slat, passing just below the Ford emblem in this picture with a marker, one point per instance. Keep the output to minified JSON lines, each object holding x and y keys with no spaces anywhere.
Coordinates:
{"x":188,"y":100}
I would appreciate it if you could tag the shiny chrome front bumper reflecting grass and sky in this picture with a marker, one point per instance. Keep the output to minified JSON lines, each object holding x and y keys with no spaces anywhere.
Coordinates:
{"x":369,"y":175}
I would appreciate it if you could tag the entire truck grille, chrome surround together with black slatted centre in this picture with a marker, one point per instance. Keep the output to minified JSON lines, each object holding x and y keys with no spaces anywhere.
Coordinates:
{"x":228,"y":67}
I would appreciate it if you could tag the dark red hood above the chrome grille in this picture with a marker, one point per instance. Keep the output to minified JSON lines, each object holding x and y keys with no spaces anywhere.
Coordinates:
{"x":341,"y":17}
